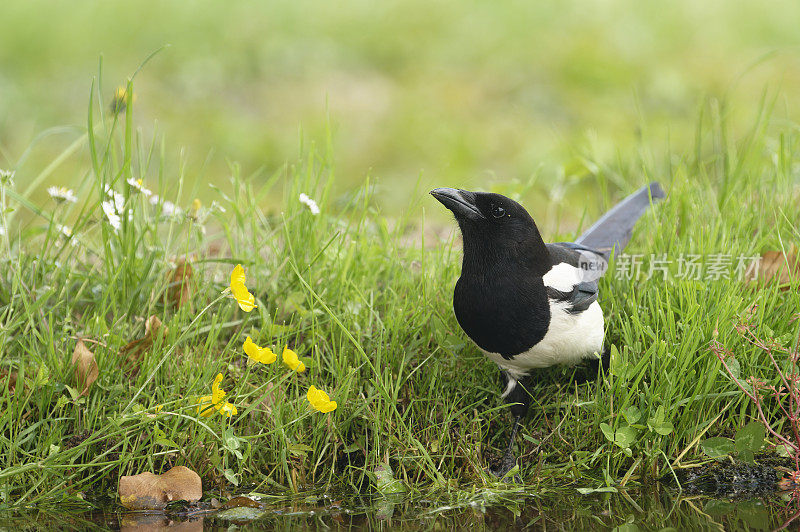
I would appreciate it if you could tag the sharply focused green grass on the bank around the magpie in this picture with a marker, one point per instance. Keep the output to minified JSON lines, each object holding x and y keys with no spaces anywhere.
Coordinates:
{"x":366,"y":300}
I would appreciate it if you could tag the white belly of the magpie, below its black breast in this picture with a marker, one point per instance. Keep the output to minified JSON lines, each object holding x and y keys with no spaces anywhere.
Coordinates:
{"x":570,"y":339}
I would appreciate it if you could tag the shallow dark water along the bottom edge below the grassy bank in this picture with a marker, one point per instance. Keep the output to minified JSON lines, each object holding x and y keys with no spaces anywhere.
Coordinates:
{"x":656,"y":509}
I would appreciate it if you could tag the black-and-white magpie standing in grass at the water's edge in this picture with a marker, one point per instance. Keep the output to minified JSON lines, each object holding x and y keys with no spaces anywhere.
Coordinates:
{"x":527,"y":304}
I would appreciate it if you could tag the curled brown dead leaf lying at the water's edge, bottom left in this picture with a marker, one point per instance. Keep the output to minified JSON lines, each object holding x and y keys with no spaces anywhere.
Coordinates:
{"x":148,"y":491}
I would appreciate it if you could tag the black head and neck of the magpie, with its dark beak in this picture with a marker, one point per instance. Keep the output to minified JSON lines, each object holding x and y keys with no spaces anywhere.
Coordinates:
{"x":495,"y":228}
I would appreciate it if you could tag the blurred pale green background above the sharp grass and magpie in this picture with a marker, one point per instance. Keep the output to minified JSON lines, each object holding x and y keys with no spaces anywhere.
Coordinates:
{"x":416,"y":94}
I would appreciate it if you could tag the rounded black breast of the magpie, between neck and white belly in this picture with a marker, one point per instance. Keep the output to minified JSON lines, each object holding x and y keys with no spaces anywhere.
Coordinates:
{"x":506,"y":316}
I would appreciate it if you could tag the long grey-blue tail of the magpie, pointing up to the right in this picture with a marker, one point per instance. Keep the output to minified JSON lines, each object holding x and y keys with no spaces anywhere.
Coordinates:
{"x":611,"y":233}
